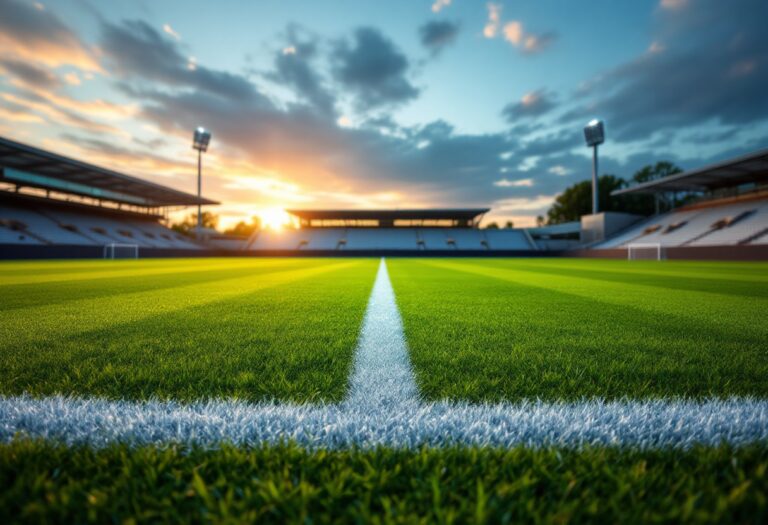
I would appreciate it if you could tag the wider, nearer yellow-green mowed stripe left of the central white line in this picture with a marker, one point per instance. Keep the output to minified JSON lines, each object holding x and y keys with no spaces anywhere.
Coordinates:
{"x":44,"y":321}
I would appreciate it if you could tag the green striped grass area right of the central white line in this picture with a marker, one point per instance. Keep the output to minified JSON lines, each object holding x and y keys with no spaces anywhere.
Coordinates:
{"x":567,"y":329}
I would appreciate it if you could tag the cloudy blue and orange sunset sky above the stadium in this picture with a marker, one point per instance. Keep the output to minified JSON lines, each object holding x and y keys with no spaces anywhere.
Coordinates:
{"x":373,"y":104}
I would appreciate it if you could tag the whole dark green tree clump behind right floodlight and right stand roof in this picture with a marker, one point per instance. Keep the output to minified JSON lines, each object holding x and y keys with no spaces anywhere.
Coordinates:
{"x":576,"y":200}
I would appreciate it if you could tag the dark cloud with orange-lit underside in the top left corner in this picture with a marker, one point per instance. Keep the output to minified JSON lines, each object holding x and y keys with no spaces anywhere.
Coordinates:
{"x":40,"y":36}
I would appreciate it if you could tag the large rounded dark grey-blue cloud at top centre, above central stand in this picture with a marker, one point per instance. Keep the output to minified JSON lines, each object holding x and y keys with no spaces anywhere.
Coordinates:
{"x":373,"y":69}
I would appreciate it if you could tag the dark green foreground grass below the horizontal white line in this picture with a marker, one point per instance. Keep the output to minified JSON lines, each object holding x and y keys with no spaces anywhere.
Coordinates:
{"x":44,"y":483}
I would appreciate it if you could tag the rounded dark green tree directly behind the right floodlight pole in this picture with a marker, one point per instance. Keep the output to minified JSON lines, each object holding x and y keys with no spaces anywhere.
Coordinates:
{"x":576,"y":200}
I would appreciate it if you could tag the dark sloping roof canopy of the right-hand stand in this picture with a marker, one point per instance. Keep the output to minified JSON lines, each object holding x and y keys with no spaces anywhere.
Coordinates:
{"x":750,"y":168}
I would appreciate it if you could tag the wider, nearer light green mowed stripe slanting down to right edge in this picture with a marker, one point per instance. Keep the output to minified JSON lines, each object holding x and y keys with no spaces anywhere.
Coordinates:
{"x":726,"y":311}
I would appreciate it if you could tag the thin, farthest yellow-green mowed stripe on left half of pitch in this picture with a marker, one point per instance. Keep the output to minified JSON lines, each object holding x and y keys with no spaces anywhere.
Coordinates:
{"x":138,"y":268}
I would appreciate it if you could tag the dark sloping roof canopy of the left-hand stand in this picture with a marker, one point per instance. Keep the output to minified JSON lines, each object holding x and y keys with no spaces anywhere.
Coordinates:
{"x":27,"y":166}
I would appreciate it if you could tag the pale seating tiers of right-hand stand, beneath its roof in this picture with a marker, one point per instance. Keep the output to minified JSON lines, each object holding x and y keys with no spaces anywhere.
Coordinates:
{"x":729,"y":224}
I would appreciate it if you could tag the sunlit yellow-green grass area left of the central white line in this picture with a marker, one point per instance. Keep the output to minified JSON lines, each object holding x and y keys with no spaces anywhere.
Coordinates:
{"x":182,"y":329}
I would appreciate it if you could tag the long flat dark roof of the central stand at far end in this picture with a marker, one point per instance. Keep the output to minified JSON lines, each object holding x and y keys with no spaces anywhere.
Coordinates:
{"x":386,"y":218}
